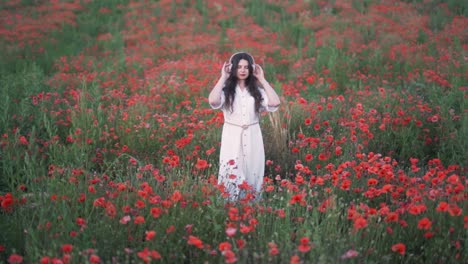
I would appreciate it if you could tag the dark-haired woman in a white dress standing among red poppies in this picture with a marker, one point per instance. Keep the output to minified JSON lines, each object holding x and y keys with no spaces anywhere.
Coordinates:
{"x":242,"y":93}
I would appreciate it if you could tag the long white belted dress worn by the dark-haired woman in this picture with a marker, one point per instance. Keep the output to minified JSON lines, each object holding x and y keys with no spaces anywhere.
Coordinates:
{"x":242,"y":155}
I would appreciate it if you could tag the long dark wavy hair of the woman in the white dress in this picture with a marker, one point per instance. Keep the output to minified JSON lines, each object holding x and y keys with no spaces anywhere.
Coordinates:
{"x":251,"y":82}
